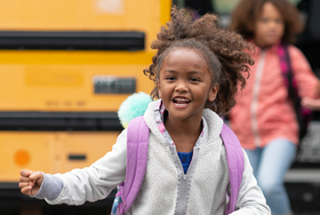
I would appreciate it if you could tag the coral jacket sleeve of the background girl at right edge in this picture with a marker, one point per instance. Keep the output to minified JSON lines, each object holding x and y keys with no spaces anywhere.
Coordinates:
{"x":306,"y":79}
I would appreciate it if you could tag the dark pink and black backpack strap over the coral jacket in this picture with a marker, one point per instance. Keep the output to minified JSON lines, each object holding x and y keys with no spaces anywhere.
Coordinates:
{"x":303,"y":114}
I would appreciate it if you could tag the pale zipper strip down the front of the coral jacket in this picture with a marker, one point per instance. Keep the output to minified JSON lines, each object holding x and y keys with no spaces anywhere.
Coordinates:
{"x":254,"y":104}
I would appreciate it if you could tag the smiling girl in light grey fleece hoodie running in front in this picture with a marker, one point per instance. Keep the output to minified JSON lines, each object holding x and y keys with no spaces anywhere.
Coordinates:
{"x":197,"y":66}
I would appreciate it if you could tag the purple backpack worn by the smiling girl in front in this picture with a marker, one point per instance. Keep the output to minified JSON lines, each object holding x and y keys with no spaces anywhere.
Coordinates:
{"x":137,"y":156}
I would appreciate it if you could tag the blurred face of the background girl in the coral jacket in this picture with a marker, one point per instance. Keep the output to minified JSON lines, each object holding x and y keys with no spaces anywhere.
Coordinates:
{"x":269,"y":28}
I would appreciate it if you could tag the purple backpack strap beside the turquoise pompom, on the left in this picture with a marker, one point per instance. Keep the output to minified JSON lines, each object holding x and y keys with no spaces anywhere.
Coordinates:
{"x":137,"y":156}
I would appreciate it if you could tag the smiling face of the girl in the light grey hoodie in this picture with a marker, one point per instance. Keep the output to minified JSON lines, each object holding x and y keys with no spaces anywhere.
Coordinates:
{"x":185,"y":84}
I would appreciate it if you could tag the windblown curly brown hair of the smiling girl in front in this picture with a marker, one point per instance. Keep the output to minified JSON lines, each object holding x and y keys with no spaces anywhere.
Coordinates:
{"x":226,"y":45}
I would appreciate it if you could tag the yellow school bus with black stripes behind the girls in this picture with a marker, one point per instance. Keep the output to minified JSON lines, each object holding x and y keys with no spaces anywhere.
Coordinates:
{"x":65,"y":68}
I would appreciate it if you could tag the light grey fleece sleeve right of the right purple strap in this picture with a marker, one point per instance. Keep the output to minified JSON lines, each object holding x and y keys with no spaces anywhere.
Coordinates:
{"x":250,"y":199}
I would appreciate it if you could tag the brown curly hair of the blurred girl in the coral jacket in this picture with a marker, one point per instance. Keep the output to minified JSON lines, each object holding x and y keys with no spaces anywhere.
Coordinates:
{"x":247,"y":13}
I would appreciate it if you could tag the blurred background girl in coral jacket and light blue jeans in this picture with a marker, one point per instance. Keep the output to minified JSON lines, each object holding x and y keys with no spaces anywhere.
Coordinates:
{"x":270,"y":135}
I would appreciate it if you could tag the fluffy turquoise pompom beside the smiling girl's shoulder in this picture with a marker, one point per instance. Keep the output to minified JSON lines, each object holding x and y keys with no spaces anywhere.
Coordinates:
{"x":134,"y":106}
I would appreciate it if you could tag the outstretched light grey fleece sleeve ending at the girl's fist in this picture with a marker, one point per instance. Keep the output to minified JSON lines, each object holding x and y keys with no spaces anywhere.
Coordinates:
{"x":90,"y":183}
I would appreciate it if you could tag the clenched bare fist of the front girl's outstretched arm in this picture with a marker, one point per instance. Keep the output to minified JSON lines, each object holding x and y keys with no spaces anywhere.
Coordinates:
{"x":30,"y":182}
